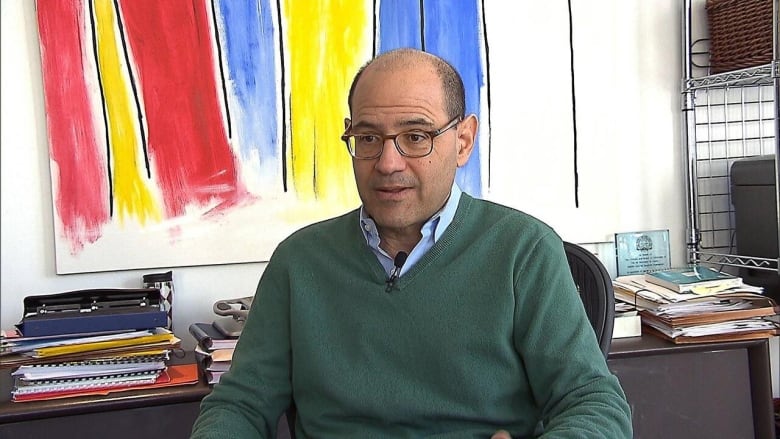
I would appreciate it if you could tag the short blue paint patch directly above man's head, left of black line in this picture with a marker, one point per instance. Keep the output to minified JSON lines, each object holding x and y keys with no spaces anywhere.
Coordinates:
{"x":399,"y":25}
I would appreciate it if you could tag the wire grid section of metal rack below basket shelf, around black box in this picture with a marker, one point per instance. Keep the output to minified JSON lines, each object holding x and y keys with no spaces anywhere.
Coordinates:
{"x":731,"y":122}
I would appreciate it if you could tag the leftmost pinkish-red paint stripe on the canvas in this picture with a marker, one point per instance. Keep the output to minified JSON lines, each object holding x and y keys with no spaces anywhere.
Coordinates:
{"x":81,"y":200}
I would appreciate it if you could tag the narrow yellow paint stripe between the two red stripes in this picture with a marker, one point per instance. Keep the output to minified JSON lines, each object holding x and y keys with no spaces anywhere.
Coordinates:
{"x":132,"y":197}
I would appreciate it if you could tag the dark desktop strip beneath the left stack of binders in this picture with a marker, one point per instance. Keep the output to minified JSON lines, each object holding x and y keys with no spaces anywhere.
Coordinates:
{"x":128,"y":399}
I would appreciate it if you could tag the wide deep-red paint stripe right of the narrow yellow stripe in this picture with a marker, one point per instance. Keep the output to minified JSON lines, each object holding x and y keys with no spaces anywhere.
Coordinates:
{"x":171,"y":44}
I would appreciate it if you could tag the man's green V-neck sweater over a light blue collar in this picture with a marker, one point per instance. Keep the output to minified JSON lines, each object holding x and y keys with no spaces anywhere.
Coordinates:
{"x":485,"y":332}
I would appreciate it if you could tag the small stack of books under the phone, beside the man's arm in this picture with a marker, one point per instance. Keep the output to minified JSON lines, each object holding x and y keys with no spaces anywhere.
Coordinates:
{"x":214,"y":350}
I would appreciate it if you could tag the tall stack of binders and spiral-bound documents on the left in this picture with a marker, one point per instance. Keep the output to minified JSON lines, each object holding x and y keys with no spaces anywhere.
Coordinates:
{"x":54,"y":358}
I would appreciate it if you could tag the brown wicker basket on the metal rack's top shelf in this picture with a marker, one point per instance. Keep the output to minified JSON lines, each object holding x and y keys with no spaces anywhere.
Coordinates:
{"x":740,"y":33}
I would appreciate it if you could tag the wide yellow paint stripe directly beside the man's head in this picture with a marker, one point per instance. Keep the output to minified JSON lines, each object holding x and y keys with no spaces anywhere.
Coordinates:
{"x":327,"y":41}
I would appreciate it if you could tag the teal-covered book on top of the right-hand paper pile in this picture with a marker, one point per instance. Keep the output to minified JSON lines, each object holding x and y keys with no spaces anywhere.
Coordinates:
{"x":695,"y":279}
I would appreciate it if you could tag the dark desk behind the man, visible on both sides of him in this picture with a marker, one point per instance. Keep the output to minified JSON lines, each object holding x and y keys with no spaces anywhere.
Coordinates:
{"x":714,"y":390}
